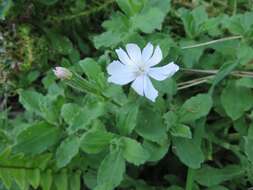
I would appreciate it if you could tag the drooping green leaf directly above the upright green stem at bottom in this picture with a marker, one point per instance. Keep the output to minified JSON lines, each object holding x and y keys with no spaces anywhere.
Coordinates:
{"x":189,"y":152}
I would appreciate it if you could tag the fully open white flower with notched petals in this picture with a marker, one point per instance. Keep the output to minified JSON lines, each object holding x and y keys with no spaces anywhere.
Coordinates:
{"x":137,"y":66}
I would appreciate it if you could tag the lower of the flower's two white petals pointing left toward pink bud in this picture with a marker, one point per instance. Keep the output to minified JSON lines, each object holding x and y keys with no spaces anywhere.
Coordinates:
{"x":122,"y":79}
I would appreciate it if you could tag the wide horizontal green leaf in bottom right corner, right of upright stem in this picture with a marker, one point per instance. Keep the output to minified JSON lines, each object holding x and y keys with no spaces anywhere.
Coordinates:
{"x":209,"y":176}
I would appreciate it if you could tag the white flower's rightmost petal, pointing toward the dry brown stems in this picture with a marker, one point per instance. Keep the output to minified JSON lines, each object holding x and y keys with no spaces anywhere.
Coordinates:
{"x":161,"y":73}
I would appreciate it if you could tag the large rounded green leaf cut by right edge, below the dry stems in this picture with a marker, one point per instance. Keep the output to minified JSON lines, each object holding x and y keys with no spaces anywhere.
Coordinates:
{"x":229,"y":100}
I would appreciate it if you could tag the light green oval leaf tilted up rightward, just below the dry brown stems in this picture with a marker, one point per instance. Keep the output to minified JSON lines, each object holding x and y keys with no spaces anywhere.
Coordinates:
{"x":195,"y":108}
